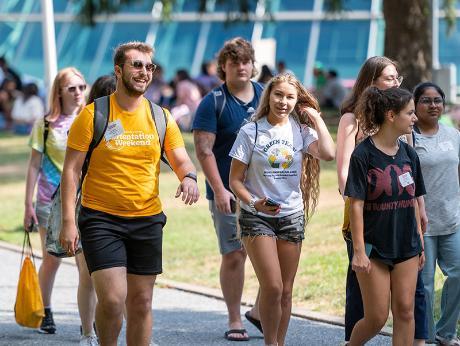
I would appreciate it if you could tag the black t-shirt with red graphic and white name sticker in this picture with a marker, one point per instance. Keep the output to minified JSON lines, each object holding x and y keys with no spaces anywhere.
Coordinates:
{"x":389,"y":186}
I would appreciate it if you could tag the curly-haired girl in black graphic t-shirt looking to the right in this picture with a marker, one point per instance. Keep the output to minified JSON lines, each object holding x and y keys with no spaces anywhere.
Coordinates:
{"x":383,"y":183}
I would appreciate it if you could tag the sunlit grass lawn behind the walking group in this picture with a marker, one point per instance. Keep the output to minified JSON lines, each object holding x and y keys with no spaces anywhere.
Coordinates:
{"x":190,"y":247}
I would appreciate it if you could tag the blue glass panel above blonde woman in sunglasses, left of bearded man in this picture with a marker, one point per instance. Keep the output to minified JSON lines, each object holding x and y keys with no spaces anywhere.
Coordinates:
{"x":79,"y":48}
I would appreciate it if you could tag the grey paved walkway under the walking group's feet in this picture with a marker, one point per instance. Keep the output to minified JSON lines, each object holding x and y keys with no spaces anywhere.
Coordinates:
{"x":181,"y":318}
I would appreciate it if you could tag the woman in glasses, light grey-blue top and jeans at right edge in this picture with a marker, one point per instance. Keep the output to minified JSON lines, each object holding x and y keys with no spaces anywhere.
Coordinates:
{"x":438,"y":147}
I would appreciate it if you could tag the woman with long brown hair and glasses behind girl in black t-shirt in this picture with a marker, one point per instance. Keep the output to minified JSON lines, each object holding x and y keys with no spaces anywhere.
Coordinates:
{"x":381,"y":72}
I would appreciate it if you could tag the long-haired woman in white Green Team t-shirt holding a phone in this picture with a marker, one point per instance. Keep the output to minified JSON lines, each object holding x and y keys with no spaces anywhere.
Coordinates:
{"x":275,"y":175}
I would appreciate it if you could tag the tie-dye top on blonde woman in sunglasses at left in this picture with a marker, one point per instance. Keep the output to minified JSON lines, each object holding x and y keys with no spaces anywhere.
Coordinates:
{"x":53,"y":160}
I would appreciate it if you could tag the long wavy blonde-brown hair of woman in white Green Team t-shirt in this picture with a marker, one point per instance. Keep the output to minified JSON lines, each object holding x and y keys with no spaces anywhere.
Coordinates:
{"x":309,"y":181}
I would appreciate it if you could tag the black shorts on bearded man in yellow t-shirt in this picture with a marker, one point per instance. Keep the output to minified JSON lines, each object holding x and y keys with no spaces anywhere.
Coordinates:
{"x":114,"y":241}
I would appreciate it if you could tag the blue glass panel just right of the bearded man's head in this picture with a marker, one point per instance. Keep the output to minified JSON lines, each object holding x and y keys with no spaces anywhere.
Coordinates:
{"x":175,"y":46}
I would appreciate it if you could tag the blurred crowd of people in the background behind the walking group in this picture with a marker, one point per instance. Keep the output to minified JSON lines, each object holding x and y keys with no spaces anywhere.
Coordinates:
{"x":21,"y":104}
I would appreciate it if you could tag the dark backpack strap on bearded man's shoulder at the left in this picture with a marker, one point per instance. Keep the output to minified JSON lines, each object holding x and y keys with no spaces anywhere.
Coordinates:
{"x":100,"y":121}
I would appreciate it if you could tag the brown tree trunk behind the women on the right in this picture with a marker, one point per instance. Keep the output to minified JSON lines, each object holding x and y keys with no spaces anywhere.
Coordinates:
{"x":408,"y":38}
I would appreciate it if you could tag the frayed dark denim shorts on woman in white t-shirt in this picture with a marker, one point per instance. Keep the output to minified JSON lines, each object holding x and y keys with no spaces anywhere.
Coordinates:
{"x":289,"y":228}
